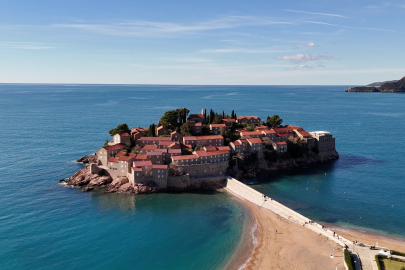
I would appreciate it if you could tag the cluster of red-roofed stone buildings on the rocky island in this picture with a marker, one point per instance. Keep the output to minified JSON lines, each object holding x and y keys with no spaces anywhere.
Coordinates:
{"x":171,"y":154}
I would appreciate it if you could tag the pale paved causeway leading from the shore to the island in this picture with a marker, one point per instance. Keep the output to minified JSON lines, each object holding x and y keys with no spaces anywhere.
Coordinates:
{"x":366,"y":255}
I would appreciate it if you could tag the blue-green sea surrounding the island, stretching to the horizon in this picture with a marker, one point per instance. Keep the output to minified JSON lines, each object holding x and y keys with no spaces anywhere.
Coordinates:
{"x":44,"y":128}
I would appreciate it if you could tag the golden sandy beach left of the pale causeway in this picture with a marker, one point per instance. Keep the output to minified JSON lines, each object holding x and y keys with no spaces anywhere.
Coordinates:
{"x":293,"y":247}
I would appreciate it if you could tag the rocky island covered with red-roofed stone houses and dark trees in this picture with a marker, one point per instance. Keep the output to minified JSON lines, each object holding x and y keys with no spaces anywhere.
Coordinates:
{"x":198,"y":151}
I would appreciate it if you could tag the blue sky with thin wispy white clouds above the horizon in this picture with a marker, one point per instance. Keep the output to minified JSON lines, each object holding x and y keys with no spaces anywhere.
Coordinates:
{"x":313,"y":42}
